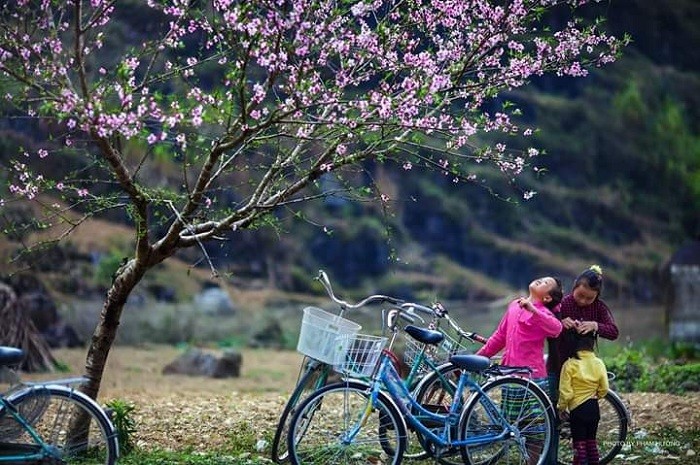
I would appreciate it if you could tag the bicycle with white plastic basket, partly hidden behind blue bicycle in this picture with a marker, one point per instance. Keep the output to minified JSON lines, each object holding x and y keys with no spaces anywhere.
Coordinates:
{"x":316,"y":367}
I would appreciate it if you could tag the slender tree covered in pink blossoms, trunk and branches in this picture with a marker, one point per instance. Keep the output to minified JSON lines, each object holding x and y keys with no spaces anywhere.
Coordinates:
{"x":259,"y":101}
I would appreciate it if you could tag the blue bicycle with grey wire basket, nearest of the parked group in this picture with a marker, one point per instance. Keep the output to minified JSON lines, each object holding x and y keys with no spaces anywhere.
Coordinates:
{"x":360,"y":420}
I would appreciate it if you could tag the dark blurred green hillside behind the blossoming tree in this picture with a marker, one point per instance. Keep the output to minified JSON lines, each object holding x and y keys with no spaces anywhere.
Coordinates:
{"x":621,"y":188}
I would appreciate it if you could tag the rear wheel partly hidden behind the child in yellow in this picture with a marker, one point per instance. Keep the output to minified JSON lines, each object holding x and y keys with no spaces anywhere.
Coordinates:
{"x":612,"y":431}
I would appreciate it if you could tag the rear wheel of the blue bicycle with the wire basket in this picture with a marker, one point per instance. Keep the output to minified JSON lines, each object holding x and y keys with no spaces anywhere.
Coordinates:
{"x":527,"y":410}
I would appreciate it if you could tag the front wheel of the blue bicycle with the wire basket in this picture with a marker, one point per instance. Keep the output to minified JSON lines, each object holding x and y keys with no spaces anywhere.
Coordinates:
{"x":340,"y":424}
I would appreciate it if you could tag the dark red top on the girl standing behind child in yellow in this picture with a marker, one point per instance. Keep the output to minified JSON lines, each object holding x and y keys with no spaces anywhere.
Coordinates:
{"x":564,"y":346}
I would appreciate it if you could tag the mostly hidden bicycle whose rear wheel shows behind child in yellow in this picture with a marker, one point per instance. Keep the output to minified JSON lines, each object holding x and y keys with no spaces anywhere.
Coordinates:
{"x":614,"y":416}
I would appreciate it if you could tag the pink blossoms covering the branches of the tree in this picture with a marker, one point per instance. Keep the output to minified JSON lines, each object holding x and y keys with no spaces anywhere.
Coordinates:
{"x":290,"y":84}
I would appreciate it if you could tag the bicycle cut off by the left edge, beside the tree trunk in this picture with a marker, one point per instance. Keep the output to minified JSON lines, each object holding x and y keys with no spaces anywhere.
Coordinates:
{"x":36,"y":419}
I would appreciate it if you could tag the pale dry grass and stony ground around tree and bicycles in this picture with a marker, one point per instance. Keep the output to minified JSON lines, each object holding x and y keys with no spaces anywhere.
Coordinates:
{"x":182,"y":415}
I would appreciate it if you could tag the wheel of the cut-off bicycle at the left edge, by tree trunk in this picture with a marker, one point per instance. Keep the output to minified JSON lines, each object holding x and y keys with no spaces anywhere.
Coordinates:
{"x":74,"y":427}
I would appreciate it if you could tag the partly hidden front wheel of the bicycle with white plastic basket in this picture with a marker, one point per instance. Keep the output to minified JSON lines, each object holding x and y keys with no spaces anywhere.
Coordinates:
{"x":314,"y":377}
